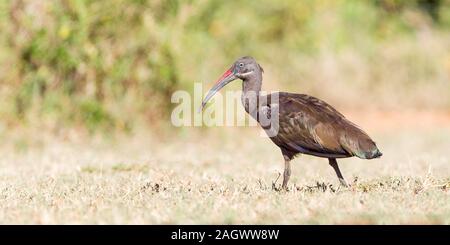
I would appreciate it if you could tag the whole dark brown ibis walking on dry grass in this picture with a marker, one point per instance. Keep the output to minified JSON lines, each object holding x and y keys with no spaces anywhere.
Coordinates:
{"x":306,"y":125}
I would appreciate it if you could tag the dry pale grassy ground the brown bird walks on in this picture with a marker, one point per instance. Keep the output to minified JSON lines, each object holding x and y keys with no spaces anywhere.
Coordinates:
{"x":223,"y":175}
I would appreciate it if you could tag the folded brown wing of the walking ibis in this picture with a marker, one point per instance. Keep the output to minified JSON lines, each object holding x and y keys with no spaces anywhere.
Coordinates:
{"x":309,"y":125}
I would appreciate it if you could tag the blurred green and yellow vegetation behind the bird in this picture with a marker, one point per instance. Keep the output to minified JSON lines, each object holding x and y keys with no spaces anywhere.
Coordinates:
{"x":108,"y":64}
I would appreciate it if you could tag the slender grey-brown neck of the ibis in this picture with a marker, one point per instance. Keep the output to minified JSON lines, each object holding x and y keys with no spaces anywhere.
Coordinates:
{"x":250,"y":93}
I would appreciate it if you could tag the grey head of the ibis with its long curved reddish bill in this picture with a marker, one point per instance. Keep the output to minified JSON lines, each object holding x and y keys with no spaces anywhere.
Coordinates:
{"x":243,"y":68}
